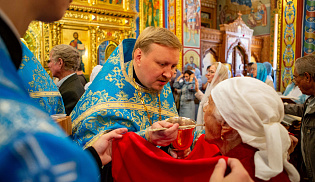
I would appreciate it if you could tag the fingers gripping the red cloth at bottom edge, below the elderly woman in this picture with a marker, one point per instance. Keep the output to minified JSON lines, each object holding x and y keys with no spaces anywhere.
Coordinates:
{"x":238,"y":172}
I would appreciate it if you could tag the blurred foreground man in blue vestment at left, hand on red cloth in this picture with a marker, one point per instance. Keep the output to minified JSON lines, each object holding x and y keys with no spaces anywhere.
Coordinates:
{"x":32,"y":146}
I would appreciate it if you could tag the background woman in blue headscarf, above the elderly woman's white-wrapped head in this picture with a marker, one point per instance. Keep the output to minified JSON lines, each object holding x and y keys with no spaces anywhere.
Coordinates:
{"x":259,"y":71}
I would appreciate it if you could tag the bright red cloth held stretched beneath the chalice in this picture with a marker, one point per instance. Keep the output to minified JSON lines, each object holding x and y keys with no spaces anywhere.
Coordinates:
{"x":135,"y":159}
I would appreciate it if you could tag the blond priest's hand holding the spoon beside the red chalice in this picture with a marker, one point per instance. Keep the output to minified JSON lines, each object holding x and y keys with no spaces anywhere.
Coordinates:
{"x":163,"y":137}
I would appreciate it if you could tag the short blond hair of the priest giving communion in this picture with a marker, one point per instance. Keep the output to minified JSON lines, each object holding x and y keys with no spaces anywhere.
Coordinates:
{"x":156,"y":35}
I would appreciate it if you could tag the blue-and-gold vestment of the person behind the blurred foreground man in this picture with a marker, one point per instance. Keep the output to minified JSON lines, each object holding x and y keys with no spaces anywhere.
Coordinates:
{"x":39,"y":84}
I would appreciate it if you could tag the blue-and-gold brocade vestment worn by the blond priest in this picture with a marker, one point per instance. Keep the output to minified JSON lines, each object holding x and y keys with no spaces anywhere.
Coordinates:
{"x":112,"y":101}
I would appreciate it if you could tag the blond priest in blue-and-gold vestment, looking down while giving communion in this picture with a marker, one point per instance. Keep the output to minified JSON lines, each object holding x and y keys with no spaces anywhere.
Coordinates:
{"x":132,"y":91}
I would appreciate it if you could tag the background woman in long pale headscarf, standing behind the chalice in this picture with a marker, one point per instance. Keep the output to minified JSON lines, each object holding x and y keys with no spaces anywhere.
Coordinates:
{"x":218,"y":72}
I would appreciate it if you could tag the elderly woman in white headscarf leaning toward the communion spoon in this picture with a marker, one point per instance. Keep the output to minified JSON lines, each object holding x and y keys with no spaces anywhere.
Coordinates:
{"x":243,"y":119}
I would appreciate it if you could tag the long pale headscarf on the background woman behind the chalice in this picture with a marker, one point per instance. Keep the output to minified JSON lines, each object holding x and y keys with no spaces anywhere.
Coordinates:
{"x":220,"y":75}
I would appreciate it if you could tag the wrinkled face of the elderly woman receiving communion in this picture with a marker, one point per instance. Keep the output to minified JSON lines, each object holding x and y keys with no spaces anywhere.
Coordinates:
{"x":213,"y":126}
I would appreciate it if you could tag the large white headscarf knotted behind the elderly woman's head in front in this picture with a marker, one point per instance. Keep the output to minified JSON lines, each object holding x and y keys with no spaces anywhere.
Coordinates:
{"x":255,"y":110}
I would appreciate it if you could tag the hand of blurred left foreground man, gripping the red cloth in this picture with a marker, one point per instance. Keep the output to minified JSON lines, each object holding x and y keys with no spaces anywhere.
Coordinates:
{"x":103,"y":145}
